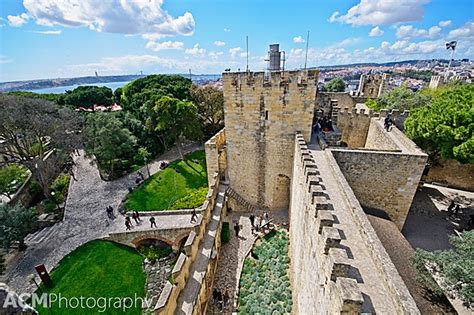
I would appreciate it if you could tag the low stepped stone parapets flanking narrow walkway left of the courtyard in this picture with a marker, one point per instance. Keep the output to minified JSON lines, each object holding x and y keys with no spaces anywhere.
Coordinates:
{"x":167,"y":302}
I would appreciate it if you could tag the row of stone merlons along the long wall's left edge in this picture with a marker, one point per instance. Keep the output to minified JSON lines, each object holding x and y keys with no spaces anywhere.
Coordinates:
{"x":322,"y":220}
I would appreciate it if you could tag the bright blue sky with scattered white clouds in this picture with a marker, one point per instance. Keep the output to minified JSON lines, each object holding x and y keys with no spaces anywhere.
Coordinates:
{"x":66,"y":38}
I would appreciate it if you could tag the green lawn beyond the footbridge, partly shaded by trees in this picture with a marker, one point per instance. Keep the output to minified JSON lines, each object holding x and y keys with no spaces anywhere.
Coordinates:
{"x":180,"y":186}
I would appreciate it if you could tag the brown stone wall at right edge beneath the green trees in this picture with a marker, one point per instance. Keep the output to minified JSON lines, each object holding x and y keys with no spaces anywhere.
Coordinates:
{"x":453,"y":174}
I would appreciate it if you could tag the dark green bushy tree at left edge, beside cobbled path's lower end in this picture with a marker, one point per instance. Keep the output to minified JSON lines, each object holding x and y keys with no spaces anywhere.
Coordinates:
{"x":15,"y":223}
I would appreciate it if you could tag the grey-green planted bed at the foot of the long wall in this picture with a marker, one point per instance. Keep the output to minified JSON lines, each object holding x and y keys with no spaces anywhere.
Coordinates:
{"x":264,"y":282}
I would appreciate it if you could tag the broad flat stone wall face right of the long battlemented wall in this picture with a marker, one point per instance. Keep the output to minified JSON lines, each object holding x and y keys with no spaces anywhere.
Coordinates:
{"x":385,"y":181}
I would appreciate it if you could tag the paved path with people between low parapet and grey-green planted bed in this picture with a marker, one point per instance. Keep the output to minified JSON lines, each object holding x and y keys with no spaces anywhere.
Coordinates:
{"x":232,"y":256}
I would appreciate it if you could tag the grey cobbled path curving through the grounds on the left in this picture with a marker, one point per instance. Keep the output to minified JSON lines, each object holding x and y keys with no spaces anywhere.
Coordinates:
{"x":84,"y":220}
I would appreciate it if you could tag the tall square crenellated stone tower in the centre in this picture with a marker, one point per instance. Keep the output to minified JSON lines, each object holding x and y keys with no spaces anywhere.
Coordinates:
{"x":262,"y":114}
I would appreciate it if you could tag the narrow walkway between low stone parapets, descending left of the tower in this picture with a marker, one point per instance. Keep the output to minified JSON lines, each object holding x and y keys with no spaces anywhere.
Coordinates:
{"x":191,"y":290}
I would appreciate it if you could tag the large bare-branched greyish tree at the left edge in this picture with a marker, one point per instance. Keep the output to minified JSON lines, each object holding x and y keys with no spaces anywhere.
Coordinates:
{"x":35,"y":129}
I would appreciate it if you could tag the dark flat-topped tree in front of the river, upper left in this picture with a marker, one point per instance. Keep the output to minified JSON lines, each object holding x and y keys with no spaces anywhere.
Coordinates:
{"x":88,"y":96}
